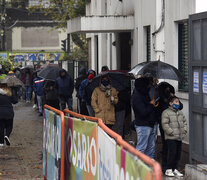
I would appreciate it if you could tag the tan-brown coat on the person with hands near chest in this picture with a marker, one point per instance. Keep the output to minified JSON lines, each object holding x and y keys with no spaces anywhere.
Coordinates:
{"x":102,"y":107}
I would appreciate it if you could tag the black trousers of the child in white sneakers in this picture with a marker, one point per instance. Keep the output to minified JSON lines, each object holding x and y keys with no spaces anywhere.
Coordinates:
{"x":174,"y":153}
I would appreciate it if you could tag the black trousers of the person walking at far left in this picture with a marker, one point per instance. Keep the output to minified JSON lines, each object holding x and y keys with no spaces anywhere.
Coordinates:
{"x":5,"y":124}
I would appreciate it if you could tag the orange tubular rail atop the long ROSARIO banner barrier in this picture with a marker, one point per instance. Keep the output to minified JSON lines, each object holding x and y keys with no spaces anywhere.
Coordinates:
{"x":122,"y":143}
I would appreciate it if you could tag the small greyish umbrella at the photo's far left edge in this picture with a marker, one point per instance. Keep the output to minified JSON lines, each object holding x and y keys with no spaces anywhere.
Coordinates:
{"x":11,"y":81}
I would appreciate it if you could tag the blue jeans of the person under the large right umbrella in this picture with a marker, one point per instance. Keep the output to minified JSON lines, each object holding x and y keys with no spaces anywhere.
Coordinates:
{"x":146,"y":140}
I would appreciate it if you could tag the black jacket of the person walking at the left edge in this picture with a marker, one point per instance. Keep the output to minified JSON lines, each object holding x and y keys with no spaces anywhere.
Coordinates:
{"x":6,"y":108}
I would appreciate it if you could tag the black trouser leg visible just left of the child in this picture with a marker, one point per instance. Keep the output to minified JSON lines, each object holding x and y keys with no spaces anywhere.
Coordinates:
{"x":164,"y":149}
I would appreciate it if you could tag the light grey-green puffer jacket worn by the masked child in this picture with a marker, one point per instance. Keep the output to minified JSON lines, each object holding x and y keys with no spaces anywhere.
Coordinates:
{"x":174,"y":124}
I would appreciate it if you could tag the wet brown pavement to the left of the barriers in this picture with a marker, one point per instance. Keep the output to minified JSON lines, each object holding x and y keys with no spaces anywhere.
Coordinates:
{"x":23,"y":159}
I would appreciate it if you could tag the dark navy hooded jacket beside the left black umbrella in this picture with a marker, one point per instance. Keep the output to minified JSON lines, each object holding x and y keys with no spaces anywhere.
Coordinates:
{"x":64,"y":86}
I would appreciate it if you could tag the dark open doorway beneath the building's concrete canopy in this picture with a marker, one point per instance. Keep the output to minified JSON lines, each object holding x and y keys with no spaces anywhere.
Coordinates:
{"x":125,"y":50}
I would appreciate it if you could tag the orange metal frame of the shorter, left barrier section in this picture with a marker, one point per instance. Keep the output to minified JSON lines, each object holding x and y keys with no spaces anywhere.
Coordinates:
{"x":62,"y":137}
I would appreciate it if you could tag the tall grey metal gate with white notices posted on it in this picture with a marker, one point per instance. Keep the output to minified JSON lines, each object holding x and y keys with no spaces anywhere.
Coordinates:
{"x":198,"y":87}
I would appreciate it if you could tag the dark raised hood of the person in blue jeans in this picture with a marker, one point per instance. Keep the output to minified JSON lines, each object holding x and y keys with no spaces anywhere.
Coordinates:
{"x":142,"y":85}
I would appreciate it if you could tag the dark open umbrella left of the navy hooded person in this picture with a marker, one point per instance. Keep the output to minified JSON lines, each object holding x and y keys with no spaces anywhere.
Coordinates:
{"x":49,"y":73}
